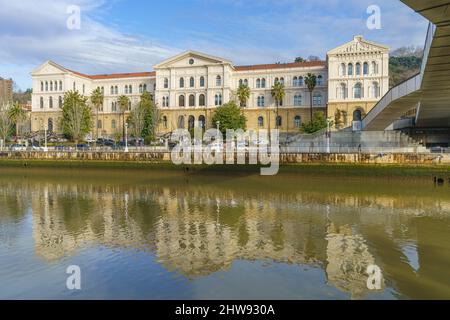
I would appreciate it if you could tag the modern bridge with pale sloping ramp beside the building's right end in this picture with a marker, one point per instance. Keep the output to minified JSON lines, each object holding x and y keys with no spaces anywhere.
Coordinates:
{"x":429,"y":91}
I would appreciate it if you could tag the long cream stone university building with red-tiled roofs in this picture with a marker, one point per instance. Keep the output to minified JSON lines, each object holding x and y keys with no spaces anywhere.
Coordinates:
{"x":189,"y":87}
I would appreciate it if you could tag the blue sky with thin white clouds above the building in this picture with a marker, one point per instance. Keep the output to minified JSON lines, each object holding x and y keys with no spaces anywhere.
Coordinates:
{"x":133,"y":35}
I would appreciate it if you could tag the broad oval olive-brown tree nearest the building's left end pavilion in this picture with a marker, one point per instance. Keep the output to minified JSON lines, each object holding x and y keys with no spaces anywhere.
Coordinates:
{"x":76,"y":120}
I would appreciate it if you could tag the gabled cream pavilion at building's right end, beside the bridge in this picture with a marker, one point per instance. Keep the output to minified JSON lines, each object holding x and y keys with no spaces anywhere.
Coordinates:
{"x":358,"y":77}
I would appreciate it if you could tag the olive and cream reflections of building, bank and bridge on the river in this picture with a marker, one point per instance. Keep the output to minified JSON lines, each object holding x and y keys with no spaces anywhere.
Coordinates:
{"x":197,"y":226}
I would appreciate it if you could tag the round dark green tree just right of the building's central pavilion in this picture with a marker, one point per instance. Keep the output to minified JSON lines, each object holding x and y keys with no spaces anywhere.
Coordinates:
{"x":229,"y":116}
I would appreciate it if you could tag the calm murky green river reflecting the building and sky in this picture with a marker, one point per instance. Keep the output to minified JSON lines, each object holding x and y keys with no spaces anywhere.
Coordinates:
{"x":144,"y":235}
